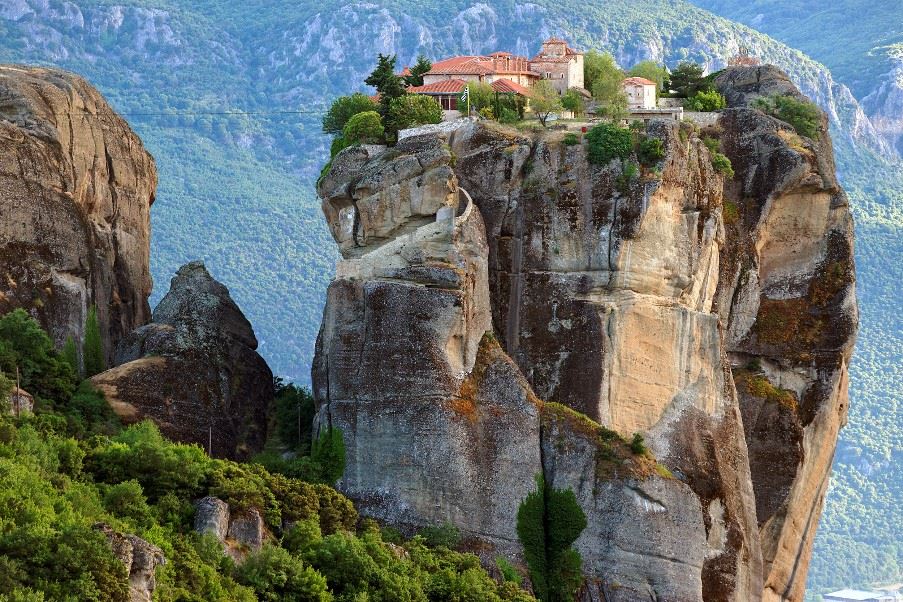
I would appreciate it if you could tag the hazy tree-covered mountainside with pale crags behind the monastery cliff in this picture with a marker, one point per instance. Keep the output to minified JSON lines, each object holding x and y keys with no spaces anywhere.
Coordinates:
{"x":228,"y":97}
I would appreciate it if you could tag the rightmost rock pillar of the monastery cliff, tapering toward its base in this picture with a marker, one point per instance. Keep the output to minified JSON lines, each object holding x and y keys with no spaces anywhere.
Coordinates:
{"x":786,"y":297}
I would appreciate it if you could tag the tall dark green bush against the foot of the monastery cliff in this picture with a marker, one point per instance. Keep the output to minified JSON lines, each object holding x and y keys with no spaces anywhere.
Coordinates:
{"x":549,"y":521}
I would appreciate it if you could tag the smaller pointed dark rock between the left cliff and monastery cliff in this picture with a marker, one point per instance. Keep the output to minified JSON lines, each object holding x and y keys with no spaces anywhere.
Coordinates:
{"x":194,"y":369}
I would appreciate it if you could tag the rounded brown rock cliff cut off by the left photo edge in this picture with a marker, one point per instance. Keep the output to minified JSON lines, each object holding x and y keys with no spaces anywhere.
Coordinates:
{"x":76,"y":187}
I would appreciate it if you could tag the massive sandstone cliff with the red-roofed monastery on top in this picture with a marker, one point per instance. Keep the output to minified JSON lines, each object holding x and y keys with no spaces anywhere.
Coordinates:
{"x":505,"y":309}
